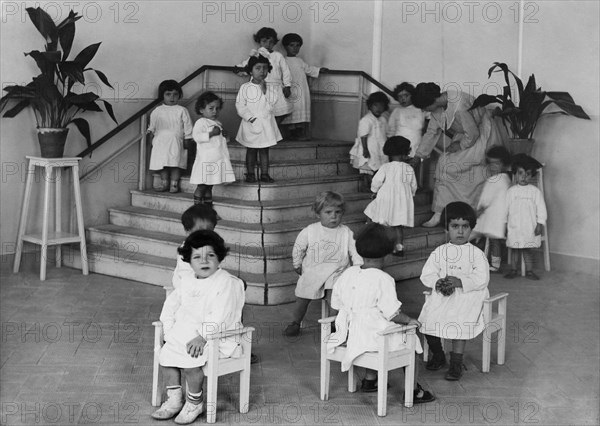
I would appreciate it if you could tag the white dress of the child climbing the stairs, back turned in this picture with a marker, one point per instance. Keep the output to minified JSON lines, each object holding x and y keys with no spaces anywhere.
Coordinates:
{"x":395,"y":185}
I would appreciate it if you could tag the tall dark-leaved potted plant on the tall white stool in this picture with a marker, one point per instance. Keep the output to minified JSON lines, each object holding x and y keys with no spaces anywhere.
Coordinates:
{"x":50,"y":94}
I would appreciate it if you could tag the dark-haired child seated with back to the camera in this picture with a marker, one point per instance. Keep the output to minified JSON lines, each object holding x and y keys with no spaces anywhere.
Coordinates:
{"x":367,"y":302}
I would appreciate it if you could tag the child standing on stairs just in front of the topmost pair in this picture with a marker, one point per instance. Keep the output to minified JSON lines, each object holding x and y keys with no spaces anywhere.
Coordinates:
{"x":258,"y":129}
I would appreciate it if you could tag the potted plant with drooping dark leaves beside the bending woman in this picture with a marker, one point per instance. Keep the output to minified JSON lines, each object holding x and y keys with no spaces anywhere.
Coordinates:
{"x":522,"y":120}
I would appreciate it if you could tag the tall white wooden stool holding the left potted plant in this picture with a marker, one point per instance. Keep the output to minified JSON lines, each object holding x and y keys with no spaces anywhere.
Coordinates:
{"x":57,"y":237}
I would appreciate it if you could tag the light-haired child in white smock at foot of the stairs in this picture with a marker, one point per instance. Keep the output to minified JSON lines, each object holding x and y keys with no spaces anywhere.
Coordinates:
{"x":321,"y":252}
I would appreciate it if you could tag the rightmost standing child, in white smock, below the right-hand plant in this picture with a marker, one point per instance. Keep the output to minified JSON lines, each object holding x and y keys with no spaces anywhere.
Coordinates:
{"x":526,"y":215}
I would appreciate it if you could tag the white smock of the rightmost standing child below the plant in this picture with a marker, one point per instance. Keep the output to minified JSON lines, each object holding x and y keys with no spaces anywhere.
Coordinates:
{"x":526,"y":208}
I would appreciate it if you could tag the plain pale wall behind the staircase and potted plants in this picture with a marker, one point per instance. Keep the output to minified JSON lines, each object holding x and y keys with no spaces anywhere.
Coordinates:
{"x":452,"y":43}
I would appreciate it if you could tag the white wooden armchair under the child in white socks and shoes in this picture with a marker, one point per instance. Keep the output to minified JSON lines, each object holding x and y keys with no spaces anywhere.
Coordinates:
{"x":215,"y":367}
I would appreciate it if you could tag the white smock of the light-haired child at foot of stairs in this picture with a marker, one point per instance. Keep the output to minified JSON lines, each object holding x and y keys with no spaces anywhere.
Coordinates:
{"x":323,"y":254}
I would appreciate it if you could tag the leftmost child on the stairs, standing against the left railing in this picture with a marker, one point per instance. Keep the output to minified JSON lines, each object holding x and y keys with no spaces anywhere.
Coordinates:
{"x":170,"y":124}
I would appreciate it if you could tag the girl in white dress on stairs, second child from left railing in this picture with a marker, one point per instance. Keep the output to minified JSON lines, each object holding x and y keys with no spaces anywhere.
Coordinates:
{"x":212,"y":165}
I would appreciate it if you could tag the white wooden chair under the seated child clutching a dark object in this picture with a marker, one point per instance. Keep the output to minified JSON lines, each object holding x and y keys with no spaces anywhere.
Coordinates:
{"x":495,"y":322}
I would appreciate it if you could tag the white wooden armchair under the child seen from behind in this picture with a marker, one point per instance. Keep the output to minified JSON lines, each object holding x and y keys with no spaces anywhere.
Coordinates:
{"x":382,"y":361}
